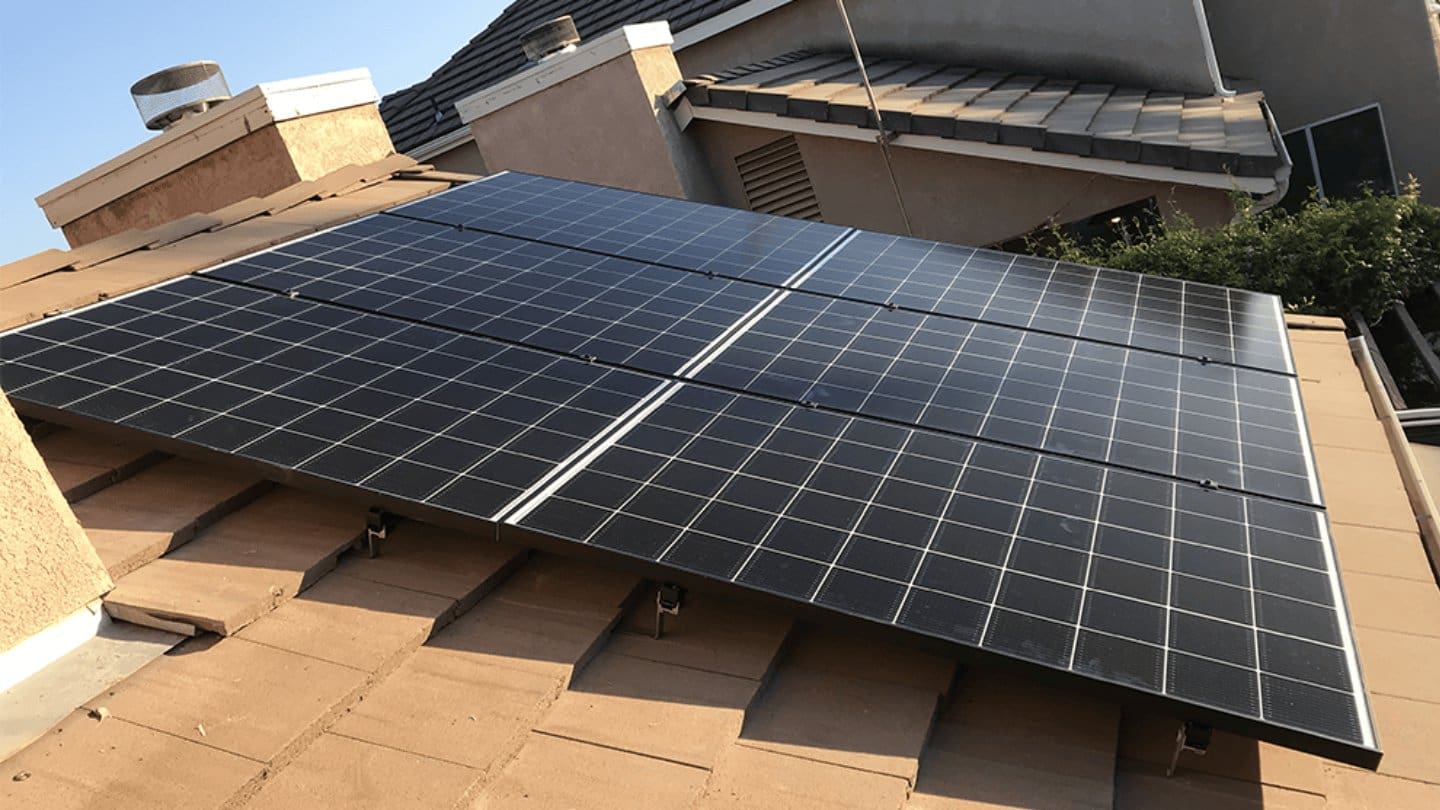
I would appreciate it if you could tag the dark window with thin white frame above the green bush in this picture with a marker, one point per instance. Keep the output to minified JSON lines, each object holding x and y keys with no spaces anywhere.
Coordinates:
{"x":1340,"y":158}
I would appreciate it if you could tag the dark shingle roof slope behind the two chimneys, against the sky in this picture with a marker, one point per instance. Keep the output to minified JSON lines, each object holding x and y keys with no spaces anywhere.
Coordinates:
{"x":426,"y":112}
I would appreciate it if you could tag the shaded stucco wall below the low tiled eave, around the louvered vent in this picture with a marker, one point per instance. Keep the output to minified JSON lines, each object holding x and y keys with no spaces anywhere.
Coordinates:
{"x":948,"y":197}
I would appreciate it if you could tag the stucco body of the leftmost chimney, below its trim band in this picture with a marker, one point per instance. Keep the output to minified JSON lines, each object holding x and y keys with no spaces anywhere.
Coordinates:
{"x":260,"y":164}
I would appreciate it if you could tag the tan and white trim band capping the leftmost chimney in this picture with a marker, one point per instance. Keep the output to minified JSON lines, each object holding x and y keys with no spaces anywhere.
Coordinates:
{"x":202,"y":135}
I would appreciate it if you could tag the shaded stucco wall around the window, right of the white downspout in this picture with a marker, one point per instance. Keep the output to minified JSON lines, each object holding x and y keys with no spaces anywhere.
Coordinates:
{"x":1320,"y":58}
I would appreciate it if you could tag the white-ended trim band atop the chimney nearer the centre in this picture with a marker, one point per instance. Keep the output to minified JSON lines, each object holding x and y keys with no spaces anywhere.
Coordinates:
{"x":557,"y":70}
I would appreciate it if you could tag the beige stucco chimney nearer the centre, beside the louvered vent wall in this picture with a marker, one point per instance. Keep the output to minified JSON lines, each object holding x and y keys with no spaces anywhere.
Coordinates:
{"x":597,"y":113}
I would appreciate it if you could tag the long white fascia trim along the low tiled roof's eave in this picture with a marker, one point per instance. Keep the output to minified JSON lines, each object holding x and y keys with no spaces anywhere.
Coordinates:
{"x":976,"y":149}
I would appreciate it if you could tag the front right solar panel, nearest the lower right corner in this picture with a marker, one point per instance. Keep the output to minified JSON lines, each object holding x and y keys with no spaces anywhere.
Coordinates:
{"x":1137,"y":580}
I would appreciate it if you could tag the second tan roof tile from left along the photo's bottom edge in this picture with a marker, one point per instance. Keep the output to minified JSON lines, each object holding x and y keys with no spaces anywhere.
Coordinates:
{"x":348,"y":775}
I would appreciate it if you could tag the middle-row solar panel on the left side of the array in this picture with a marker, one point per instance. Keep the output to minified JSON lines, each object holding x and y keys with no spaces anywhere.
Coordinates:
{"x":558,"y":299}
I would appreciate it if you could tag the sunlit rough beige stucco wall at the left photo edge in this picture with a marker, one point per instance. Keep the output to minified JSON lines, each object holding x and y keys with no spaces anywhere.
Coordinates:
{"x":48,"y":567}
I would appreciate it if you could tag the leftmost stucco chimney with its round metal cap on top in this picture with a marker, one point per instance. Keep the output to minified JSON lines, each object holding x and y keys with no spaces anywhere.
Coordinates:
{"x":215,"y":151}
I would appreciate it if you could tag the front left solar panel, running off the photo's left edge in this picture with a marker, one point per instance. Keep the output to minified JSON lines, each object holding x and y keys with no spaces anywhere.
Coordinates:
{"x":421,"y":414}
